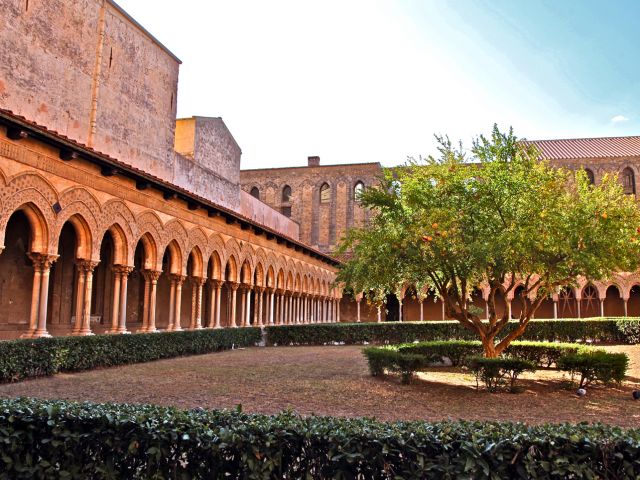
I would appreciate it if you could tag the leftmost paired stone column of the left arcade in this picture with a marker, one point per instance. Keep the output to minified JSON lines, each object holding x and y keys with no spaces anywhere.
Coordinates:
{"x":40,"y":294}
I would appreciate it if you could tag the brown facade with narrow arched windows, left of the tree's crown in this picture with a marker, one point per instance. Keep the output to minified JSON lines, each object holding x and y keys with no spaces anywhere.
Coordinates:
{"x":323,"y":221}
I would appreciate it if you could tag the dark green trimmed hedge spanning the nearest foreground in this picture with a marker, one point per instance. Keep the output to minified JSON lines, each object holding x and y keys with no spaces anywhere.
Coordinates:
{"x":54,"y":439}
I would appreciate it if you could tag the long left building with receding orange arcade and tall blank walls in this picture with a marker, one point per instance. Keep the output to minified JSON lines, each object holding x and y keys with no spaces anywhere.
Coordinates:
{"x":115,"y":217}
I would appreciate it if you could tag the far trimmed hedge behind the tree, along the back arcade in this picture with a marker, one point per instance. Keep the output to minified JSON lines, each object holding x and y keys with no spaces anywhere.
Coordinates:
{"x":564,"y":330}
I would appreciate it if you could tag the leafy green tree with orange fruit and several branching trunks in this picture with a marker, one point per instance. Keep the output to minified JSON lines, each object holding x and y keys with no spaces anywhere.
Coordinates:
{"x":503,"y":220}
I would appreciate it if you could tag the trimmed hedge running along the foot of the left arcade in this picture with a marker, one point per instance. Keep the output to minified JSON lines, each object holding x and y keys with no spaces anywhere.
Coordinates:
{"x":21,"y":359}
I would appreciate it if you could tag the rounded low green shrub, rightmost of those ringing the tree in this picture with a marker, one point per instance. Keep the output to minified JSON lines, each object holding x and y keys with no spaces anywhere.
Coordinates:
{"x":595,"y":366}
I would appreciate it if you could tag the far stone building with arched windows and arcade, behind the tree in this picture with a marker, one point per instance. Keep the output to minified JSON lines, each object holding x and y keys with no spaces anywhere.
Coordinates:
{"x":323,"y":220}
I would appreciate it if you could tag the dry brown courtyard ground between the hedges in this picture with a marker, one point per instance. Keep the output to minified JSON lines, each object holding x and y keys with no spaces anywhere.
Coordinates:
{"x":334,"y":380}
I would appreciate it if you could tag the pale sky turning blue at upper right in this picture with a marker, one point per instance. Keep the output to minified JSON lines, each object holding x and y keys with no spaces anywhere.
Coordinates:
{"x":372,"y":80}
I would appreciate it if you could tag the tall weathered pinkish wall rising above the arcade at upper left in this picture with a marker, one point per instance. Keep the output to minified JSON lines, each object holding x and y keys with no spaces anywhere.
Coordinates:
{"x":86,"y":70}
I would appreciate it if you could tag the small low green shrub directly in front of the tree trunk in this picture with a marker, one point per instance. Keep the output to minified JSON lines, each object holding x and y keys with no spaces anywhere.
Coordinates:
{"x":496,"y":372}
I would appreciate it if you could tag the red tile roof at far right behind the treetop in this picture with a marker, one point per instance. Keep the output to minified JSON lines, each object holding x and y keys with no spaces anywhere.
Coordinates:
{"x":588,"y":147}
